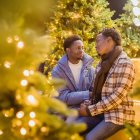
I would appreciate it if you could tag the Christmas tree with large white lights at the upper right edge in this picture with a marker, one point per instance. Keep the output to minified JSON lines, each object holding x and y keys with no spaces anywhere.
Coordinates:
{"x":128,"y":25}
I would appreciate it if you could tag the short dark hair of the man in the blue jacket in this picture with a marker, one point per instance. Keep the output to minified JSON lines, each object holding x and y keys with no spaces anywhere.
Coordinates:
{"x":68,"y":41}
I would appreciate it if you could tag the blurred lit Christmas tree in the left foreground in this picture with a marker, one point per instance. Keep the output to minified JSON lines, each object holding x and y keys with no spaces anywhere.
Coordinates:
{"x":27,"y":104}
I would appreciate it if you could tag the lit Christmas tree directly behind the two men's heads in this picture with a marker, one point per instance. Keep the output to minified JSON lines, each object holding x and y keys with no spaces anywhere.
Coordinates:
{"x":83,"y":17}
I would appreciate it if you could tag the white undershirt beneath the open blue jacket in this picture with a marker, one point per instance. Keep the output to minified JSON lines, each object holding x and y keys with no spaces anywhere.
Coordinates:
{"x":76,"y":70}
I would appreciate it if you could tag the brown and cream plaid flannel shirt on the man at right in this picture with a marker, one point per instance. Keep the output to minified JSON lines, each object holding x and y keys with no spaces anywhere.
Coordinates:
{"x":116,"y":105}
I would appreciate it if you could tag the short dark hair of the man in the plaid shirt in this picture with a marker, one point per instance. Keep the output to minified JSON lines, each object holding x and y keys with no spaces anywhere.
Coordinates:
{"x":111,"y":32}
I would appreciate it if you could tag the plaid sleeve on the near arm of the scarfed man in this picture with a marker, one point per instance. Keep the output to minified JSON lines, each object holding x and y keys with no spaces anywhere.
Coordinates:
{"x":124,"y":80}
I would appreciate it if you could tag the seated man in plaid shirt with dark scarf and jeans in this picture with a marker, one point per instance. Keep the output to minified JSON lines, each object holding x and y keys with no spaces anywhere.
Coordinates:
{"x":114,"y":77}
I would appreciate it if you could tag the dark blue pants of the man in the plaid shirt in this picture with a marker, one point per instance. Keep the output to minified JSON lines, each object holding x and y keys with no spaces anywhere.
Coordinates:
{"x":97,"y":128}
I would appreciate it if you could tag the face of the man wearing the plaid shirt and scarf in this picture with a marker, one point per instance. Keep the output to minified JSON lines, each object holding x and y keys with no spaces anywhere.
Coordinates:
{"x":102,"y":43}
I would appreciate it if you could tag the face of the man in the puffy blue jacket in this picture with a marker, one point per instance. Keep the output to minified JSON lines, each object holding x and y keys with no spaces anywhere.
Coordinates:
{"x":75,"y":51}
